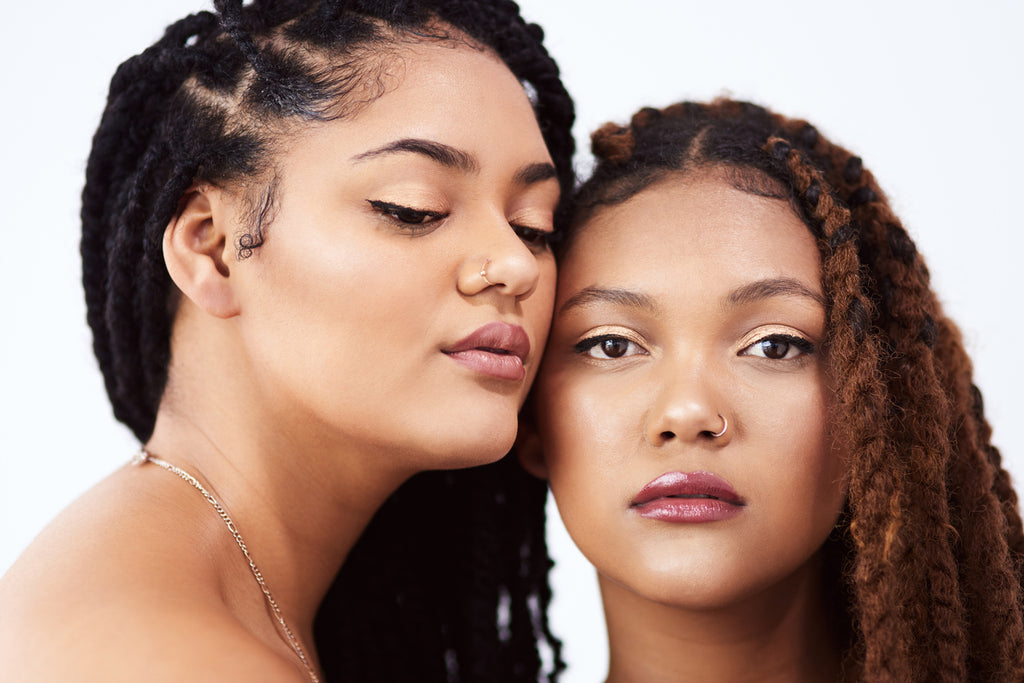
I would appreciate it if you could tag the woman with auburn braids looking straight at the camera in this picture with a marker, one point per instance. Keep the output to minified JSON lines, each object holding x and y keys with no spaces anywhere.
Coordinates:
{"x":760,"y":428}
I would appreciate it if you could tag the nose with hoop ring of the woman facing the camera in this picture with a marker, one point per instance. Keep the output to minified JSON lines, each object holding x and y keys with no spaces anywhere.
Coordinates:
{"x":688,"y":407}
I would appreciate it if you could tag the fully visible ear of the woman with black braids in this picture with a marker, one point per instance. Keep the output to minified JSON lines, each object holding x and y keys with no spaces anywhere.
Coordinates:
{"x":198,"y":248}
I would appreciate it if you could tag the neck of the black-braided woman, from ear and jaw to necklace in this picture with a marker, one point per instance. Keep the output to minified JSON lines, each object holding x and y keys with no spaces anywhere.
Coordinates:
{"x":301,"y":493}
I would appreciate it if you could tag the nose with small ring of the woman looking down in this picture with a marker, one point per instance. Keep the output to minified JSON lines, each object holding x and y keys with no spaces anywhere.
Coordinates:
{"x":503,"y":262}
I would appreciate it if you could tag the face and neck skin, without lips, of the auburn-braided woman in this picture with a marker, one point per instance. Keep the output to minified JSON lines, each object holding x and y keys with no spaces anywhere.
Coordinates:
{"x":691,"y":303}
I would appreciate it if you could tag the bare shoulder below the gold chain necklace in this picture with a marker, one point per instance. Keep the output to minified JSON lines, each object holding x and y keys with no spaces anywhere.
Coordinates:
{"x":111,"y":591}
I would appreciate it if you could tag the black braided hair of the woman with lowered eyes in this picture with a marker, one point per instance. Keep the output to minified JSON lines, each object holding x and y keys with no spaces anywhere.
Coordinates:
{"x":460,"y":592}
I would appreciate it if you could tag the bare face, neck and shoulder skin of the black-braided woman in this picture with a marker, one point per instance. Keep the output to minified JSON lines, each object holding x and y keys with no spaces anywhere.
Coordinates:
{"x":308,"y":382}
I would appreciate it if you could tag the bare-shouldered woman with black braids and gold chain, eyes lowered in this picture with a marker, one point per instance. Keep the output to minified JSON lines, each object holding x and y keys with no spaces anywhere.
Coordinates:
{"x":316,"y":264}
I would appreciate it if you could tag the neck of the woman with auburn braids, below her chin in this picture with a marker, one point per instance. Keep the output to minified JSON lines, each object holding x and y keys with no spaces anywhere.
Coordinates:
{"x":783,"y":634}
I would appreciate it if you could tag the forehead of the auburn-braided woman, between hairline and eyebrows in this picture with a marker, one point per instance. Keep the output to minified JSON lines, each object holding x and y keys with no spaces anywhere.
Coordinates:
{"x":690,"y":234}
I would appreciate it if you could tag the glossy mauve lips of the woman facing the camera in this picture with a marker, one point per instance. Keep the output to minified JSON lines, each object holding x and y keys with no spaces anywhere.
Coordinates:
{"x":689,"y":498}
